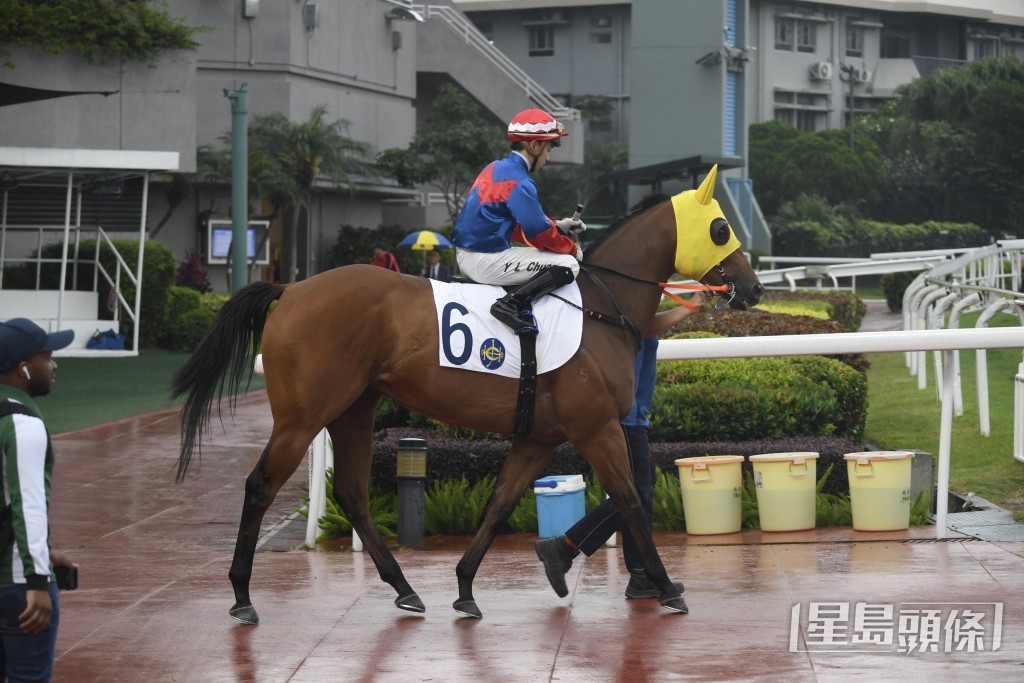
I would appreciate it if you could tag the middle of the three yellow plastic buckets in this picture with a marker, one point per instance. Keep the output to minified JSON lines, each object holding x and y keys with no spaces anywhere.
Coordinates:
{"x":785,"y":483}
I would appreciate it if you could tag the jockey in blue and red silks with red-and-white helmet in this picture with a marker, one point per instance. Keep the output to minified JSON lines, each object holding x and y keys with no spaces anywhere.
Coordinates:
{"x":503,"y":207}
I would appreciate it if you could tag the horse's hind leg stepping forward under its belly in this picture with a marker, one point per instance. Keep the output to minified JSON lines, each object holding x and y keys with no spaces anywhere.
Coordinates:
{"x":353,"y":435}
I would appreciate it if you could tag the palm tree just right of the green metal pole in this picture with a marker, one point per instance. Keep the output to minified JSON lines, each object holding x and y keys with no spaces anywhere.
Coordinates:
{"x":296,"y":155}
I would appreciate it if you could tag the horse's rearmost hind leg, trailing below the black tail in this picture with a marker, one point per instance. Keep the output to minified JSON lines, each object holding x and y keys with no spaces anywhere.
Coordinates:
{"x":281,"y":457}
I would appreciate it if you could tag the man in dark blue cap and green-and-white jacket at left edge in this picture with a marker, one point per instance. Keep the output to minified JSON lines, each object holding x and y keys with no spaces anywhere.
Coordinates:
{"x":30,"y":611}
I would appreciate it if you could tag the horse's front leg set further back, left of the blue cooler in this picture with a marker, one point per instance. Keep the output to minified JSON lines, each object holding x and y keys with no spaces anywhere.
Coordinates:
{"x":524,"y":465}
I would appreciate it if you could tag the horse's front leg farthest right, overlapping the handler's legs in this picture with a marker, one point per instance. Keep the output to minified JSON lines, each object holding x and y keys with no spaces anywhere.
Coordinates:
{"x":606,"y":451}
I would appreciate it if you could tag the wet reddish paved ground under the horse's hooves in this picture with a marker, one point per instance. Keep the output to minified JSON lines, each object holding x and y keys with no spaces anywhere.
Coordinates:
{"x":154,"y":596}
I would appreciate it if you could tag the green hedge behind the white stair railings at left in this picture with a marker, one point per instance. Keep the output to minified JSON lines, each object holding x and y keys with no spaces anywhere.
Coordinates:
{"x":158,"y":277}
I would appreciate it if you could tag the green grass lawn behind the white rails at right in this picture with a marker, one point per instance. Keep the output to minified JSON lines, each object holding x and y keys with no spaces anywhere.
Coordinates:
{"x":901,"y":416}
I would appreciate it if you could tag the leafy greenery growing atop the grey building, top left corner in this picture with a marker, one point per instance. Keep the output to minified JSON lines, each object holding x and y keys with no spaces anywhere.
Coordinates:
{"x":131,"y":30}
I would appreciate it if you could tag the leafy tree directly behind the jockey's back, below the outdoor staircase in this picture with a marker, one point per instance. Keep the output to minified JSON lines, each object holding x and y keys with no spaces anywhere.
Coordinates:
{"x":451,"y":147}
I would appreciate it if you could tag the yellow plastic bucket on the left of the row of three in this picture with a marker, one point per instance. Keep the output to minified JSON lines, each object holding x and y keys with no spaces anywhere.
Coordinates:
{"x":711,"y":489}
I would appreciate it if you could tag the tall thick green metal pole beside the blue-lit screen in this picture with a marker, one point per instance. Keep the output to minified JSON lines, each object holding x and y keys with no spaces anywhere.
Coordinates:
{"x":240,"y":186}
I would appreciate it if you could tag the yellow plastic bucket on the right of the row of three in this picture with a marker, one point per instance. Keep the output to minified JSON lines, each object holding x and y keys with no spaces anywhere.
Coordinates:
{"x":880,"y":490}
